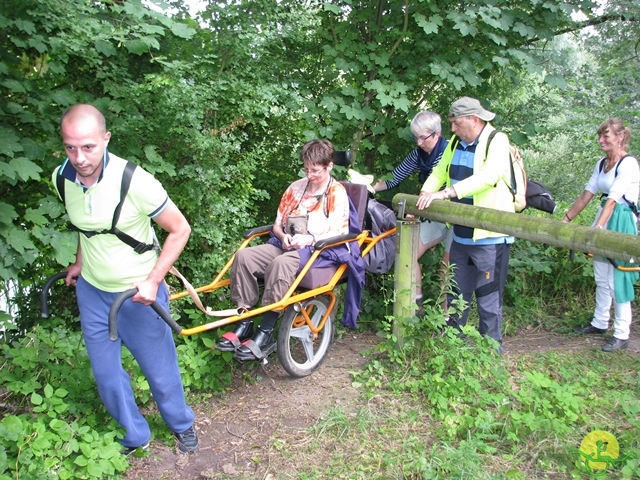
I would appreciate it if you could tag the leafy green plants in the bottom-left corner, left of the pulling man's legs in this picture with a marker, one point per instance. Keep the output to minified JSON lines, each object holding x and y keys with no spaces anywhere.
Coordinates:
{"x":54,"y":425}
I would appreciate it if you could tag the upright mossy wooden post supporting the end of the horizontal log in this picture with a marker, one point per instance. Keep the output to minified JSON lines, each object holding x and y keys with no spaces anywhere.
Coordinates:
{"x":404,"y":305}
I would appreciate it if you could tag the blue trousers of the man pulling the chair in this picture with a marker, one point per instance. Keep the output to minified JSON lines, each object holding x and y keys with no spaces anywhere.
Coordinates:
{"x":150,"y":341}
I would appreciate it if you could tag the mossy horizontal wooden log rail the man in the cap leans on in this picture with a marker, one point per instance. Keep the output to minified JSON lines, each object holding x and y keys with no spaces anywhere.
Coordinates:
{"x":608,"y":244}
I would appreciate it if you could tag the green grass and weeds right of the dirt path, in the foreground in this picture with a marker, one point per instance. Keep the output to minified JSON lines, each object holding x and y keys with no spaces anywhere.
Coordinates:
{"x":523,"y":417}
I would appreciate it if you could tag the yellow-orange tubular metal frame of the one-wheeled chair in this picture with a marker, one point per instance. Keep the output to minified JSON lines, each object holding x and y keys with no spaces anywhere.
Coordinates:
{"x":293,"y":295}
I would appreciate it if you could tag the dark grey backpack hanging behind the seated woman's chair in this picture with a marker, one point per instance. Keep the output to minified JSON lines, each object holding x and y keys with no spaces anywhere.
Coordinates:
{"x":380,"y":219}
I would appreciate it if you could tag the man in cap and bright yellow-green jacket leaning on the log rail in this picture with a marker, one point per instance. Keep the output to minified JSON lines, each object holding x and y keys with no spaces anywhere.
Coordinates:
{"x":475,"y":175}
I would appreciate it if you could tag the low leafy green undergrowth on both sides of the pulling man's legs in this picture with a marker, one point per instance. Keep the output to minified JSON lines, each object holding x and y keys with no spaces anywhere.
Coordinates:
{"x":54,"y":424}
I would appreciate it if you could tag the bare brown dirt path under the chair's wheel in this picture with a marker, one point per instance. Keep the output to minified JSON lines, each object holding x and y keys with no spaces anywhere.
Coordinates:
{"x":236,"y":431}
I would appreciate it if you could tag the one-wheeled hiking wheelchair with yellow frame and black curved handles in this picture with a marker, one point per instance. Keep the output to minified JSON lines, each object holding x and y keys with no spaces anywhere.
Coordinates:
{"x":309,"y":306}
